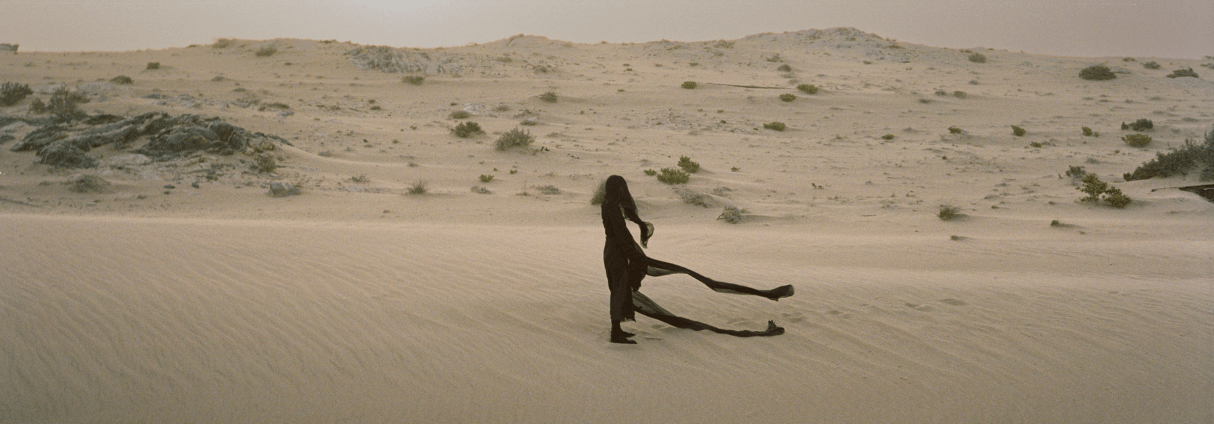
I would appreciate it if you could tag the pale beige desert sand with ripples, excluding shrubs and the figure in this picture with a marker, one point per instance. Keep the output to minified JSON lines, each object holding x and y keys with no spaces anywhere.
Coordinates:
{"x":184,"y":292}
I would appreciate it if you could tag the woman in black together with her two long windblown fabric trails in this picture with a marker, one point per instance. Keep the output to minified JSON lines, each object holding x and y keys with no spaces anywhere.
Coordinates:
{"x":627,"y":265}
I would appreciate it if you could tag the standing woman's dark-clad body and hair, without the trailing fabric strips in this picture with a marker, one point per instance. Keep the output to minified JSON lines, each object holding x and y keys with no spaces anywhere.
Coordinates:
{"x":622,"y":258}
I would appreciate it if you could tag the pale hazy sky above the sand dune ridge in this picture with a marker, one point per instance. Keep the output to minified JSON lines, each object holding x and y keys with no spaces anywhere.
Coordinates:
{"x":1161,"y":29}
